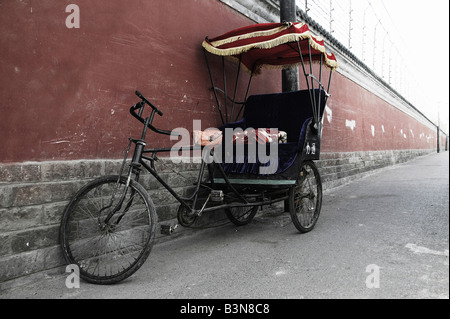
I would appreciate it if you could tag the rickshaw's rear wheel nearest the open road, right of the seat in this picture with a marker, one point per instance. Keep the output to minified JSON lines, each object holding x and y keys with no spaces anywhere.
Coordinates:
{"x":305,"y":199}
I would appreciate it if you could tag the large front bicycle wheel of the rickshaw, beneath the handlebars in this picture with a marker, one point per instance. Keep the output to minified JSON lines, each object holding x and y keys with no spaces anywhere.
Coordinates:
{"x":108,"y":253}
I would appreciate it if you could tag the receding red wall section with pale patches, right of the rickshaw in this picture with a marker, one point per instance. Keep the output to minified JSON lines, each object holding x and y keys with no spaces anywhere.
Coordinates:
{"x":392,"y":128}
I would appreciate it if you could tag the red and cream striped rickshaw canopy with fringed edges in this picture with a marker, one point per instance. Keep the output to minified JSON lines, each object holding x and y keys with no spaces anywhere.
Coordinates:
{"x":271,"y":45}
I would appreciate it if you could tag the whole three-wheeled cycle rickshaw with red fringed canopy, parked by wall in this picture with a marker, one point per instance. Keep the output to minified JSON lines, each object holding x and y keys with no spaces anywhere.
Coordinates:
{"x":263,"y":153}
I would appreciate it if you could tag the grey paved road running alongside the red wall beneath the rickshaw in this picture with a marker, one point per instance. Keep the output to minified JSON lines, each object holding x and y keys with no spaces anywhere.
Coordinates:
{"x":383,"y":236}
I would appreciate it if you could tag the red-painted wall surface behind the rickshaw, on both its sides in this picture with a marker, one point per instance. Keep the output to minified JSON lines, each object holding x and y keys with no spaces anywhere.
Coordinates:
{"x":65,"y":93}
